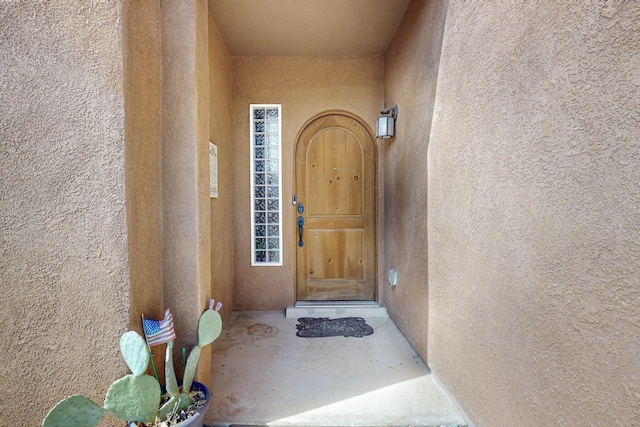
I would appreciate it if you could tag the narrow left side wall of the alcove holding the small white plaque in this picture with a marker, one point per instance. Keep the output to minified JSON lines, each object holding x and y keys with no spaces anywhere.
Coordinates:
{"x":222,"y":215}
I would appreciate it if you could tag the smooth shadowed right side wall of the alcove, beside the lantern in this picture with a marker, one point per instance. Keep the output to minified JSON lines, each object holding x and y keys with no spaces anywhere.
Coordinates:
{"x":411,"y":71}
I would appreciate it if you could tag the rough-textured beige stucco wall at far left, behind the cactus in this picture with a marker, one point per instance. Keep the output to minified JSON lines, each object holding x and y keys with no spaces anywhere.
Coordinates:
{"x":64,"y":273}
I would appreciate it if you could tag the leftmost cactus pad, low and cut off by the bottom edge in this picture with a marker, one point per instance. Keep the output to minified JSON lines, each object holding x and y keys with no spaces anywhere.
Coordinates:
{"x":74,"y":411}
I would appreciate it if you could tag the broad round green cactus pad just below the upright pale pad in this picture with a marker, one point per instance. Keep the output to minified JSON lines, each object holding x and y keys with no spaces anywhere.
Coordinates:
{"x":134,"y":398}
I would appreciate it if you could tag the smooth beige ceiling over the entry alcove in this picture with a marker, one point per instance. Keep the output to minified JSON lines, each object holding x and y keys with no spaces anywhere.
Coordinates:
{"x":307,"y":27}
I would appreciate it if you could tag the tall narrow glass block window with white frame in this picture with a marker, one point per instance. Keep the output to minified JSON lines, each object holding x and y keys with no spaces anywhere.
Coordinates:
{"x":266,"y":185}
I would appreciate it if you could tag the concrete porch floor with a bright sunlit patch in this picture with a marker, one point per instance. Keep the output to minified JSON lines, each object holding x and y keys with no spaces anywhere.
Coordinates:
{"x":265,"y":375}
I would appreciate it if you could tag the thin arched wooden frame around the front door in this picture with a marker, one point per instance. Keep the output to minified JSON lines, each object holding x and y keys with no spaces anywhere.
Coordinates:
{"x":294,"y":226}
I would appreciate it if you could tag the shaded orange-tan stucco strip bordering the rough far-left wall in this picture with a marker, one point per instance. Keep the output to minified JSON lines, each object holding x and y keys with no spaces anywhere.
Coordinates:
{"x":143,"y":134}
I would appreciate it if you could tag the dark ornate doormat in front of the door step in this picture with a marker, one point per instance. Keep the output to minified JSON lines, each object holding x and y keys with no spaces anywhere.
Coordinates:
{"x":312,"y":327}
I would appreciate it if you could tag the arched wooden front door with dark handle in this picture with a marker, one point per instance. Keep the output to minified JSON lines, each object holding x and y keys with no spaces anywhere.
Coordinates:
{"x":335,"y":179}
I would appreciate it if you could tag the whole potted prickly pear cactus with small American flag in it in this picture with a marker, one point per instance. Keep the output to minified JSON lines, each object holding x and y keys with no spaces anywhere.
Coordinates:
{"x":138,"y":397}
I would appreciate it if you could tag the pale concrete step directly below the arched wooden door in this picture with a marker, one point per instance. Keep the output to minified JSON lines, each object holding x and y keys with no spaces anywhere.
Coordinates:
{"x":335,"y":309}
